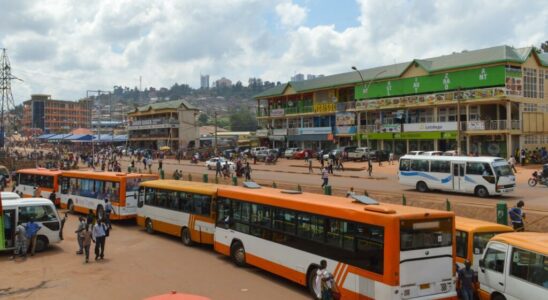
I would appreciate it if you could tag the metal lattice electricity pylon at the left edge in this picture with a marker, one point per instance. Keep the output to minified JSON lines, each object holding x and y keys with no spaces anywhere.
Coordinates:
{"x":7,"y":103}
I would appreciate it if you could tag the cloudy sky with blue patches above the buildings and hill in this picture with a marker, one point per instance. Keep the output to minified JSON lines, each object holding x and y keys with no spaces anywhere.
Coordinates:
{"x":66,"y":47}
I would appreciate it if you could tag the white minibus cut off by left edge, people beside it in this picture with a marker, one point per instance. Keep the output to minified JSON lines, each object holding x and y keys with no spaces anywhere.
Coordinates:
{"x":19,"y":211}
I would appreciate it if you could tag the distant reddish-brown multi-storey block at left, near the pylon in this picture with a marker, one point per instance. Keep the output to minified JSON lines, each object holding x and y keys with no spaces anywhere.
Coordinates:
{"x":56,"y":116}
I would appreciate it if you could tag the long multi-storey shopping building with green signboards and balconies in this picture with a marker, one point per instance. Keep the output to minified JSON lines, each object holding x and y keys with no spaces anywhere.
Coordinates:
{"x":493,"y":100}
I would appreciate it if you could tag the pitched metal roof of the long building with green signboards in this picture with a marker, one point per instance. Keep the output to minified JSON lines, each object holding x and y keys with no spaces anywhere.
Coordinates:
{"x":446,"y":62}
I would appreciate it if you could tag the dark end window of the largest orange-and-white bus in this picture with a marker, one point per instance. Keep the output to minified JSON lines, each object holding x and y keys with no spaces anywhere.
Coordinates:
{"x":422,"y":234}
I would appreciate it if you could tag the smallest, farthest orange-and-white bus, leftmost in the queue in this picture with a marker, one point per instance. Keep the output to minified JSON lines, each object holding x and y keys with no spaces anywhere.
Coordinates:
{"x":45,"y":179}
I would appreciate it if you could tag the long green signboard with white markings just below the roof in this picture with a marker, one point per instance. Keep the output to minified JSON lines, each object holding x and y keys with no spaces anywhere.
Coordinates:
{"x":466,"y":79}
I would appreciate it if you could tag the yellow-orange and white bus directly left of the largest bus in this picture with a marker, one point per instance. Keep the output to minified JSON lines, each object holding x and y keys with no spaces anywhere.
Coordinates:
{"x":181,"y":208}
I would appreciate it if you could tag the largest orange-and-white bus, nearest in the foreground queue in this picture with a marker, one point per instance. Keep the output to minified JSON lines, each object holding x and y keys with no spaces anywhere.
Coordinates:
{"x":374,"y":251}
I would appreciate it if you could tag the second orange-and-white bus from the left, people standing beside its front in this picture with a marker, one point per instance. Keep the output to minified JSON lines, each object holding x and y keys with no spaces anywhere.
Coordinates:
{"x":81,"y":191}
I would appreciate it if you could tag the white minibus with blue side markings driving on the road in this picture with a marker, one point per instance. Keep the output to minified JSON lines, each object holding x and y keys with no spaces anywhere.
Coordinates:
{"x":482,"y":176}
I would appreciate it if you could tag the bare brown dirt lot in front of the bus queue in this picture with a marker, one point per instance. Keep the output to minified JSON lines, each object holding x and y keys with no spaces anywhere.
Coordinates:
{"x":136,"y":265}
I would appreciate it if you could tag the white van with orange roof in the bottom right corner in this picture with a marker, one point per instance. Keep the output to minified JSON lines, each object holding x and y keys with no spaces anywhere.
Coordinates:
{"x":515,"y":266}
